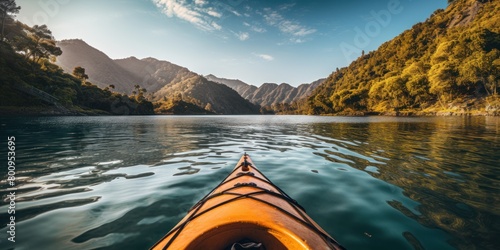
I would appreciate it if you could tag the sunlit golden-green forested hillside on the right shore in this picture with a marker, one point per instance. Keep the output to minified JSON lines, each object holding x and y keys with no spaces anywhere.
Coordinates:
{"x":448,"y":64}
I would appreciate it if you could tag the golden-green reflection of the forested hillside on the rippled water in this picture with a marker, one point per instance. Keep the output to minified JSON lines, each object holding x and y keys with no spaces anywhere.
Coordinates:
{"x":448,"y":165}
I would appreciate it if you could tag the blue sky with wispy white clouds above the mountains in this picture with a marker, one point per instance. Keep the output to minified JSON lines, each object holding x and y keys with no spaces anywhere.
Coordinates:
{"x":256,"y":41}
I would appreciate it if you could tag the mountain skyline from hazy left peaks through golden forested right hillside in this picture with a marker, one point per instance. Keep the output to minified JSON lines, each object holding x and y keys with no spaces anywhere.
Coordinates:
{"x":449,"y":63}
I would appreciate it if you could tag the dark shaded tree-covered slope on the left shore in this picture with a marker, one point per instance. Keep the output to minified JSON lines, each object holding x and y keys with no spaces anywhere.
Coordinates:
{"x":31,"y":84}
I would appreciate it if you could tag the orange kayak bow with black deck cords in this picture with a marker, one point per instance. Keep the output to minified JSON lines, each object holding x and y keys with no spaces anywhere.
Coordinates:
{"x":247,"y":206}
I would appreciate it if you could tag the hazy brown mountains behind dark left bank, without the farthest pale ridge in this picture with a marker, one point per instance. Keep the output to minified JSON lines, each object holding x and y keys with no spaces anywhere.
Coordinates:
{"x":162,"y":80}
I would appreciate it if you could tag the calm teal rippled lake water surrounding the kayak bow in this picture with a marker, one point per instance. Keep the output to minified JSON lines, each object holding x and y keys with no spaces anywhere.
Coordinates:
{"x":371,"y":182}
